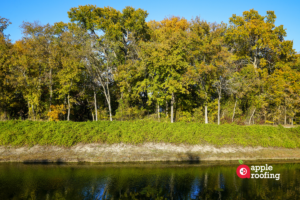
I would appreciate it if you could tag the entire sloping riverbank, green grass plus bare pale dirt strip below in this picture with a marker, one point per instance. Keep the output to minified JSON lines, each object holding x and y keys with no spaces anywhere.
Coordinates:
{"x":138,"y":141}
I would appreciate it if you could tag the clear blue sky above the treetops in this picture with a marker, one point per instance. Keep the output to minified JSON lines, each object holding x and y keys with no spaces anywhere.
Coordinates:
{"x":51,"y":11}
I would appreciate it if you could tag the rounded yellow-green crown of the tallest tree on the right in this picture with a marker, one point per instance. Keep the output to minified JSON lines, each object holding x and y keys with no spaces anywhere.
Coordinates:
{"x":255,"y":39}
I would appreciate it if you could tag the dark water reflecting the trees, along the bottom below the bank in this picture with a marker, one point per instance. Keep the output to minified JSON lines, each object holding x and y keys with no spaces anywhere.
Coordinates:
{"x":144,"y":181}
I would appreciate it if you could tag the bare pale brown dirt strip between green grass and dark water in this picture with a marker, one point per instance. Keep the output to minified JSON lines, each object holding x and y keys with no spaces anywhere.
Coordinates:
{"x":142,"y":152}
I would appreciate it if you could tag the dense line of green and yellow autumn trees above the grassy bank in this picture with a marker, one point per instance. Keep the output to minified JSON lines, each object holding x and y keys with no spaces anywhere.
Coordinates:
{"x":114,"y":65}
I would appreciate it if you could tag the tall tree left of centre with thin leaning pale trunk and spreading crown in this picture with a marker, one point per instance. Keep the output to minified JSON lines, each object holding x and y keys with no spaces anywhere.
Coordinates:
{"x":120,"y":30}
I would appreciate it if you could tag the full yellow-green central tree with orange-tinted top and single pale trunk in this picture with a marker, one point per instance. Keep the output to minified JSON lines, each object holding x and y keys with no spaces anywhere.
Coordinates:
{"x":166,"y":60}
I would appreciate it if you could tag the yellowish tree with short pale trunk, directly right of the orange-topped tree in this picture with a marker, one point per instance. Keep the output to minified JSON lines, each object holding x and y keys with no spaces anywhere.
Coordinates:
{"x":208,"y":58}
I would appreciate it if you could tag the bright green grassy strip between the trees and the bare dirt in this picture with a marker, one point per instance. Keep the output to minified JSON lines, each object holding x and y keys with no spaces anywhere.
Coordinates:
{"x":21,"y":133}
